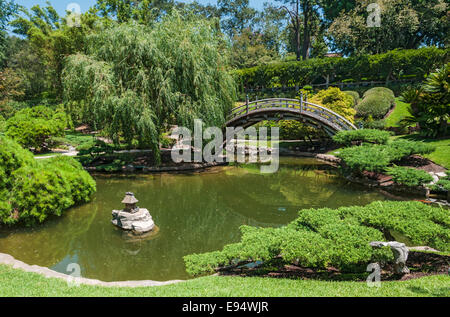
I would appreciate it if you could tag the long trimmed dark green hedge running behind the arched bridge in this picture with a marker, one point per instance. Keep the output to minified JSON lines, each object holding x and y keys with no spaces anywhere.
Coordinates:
{"x":396,"y":63}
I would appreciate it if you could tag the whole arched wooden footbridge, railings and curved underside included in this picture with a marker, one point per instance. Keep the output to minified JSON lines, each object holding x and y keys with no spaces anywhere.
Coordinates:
{"x":288,"y":109}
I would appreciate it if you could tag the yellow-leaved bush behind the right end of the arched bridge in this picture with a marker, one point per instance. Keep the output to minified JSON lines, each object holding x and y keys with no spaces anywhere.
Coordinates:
{"x":337,"y":101}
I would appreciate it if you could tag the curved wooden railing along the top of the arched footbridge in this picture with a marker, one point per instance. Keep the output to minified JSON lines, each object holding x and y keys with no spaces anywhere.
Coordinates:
{"x":302,"y":106}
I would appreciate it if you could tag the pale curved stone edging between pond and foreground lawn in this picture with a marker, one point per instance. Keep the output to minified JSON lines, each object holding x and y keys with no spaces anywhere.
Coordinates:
{"x":46,"y":272}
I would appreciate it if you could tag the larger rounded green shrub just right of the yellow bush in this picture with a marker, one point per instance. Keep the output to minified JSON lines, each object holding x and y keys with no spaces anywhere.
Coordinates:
{"x":376,"y":103}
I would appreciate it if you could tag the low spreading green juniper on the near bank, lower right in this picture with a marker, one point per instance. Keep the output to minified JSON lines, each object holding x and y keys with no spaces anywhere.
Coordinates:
{"x":320,"y":238}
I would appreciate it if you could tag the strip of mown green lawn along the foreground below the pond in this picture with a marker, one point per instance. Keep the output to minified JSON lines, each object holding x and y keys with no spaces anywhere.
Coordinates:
{"x":15,"y":282}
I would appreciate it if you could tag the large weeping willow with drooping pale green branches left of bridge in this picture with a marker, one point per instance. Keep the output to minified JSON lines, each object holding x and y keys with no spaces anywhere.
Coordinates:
{"x":136,"y":80}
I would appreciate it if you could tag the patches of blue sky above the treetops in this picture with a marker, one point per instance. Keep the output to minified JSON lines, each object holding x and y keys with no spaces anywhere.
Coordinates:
{"x":61,"y":5}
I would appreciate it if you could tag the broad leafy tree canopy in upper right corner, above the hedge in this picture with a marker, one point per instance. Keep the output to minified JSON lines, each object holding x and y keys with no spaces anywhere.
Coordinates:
{"x":404,"y":24}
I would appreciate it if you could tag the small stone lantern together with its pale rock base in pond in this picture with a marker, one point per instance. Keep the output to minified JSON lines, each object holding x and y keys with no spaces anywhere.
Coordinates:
{"x":132,"y":218}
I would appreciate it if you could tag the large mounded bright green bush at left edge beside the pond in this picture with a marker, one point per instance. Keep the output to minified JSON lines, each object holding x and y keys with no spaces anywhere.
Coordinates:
{"x":31,"y":191}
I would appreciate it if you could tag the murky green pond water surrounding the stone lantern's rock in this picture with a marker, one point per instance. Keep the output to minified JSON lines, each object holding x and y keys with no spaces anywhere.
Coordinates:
{"x":195,"y":212}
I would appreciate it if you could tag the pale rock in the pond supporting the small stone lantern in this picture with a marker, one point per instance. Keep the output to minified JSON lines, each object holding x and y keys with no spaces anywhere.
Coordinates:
{"x":139,"y":222}
